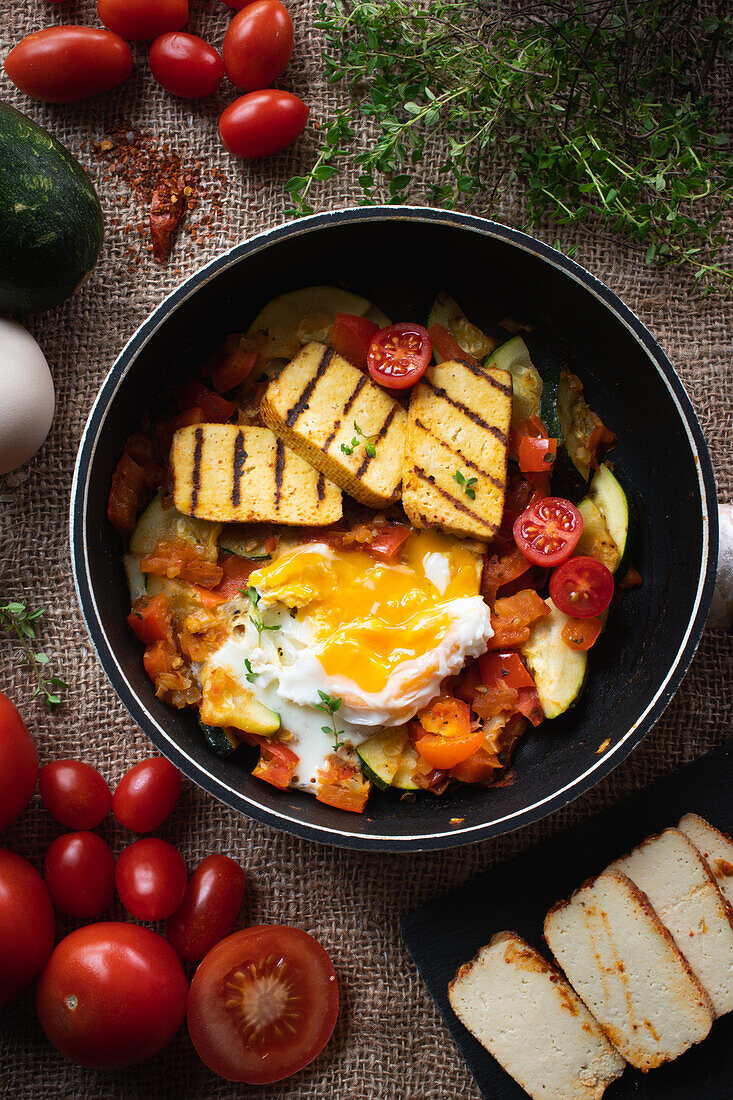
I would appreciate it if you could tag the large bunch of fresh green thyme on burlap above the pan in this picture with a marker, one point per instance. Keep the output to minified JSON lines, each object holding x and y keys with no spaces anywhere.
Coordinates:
{"x":599,"y":107}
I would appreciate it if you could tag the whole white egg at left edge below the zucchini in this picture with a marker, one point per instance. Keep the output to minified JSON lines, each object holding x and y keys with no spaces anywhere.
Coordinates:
{"x":27,"y":397}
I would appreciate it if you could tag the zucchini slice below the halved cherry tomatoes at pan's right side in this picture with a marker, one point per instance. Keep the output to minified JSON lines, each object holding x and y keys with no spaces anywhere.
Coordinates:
{"x":559,"y":672}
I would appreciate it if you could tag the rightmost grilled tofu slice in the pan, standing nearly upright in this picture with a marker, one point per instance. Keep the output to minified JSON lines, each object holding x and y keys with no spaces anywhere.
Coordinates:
{"x":458,"y":423}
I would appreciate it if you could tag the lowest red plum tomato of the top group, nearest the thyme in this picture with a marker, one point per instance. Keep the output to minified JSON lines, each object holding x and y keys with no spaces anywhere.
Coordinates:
{"x":262,"y":124}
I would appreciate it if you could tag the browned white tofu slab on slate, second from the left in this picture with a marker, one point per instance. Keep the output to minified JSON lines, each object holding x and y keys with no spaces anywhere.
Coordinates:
{"x":625,"y":964}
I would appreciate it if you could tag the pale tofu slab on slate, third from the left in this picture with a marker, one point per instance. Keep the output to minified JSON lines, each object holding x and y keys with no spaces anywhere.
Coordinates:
{"x":679,"y":883}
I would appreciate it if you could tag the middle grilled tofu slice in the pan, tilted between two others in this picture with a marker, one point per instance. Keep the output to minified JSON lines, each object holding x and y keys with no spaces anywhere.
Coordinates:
{"x":314,"y":405}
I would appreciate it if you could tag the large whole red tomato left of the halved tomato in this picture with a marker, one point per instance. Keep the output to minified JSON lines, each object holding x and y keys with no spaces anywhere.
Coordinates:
{"x":112,"y":995}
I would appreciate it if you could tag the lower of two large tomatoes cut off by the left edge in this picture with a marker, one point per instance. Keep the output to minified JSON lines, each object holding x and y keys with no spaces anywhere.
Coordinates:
{"x":28,"y":927}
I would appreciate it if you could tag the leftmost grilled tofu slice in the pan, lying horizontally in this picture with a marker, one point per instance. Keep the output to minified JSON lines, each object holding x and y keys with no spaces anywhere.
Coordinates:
{"x":247,"y":476}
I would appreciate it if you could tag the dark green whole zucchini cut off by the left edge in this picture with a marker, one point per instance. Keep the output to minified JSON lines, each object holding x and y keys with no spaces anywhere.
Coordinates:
{"x":51,"y":218}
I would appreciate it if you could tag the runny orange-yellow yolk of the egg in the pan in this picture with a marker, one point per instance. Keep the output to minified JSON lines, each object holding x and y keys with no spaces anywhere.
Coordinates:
{"x":367,"y":617}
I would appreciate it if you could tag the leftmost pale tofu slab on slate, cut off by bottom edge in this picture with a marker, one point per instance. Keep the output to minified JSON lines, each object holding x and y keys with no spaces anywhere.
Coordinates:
{"x":523,"y":1011}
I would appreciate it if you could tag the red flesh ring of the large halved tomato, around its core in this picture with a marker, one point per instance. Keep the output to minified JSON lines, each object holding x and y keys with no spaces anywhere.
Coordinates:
{"x":215,"y":1030}
